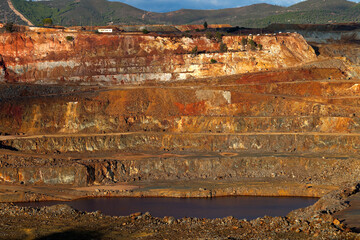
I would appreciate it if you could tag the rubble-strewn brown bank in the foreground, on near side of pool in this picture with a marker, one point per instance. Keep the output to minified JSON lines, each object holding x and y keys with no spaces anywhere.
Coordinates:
{"x":62,"y":221}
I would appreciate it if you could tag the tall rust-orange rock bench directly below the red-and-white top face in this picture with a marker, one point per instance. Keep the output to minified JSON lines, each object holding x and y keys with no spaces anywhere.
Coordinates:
{"x":298,"y":106}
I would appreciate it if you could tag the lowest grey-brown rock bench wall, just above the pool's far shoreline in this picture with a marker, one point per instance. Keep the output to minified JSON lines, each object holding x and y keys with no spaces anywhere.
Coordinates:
{"x":309,"y":171}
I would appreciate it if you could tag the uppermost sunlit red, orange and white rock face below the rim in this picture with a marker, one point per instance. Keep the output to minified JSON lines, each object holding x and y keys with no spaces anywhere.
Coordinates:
{"x":117,"y":59}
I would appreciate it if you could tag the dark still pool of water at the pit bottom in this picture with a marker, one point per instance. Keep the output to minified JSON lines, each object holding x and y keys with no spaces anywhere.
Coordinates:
{"x":239,"y":207}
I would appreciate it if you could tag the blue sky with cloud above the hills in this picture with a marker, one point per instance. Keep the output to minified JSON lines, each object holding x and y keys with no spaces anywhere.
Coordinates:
{"x":172,"y":5}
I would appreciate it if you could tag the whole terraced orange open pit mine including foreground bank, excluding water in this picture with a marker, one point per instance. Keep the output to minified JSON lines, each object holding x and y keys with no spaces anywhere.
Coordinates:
{"x":177,"y":115}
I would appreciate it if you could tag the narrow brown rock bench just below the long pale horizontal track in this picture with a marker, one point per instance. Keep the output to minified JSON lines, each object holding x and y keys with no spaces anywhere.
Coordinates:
{"x":252,"y":143}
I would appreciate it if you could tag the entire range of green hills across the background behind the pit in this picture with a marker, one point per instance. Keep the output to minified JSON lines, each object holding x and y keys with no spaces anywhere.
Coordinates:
{"x":103,"y":12}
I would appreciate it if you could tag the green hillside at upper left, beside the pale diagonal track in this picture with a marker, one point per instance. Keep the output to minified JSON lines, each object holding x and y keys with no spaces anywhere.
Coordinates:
{"x":83,"y":12}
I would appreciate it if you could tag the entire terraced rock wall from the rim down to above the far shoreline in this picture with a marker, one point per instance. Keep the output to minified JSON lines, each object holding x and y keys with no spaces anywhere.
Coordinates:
{"x":168,"y":113}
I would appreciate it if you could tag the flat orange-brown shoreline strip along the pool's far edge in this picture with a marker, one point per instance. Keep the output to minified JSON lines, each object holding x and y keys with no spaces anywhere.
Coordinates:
{"x":166,"y":189}
